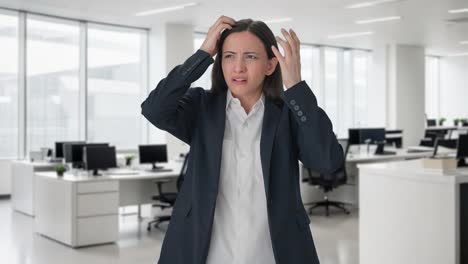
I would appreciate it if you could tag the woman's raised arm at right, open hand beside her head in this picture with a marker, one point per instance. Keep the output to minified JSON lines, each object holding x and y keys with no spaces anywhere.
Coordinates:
{"x":317,"y":145}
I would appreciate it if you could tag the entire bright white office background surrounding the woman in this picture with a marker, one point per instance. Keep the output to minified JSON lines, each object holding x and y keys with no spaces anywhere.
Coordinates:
{"x":85,"y":178}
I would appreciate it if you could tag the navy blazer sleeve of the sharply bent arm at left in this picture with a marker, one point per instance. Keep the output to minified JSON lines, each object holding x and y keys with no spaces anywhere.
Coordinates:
{"x":172,"y":106}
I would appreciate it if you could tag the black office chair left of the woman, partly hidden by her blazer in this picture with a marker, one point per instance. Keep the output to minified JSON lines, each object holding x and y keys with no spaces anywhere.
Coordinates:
{"x":167,"y":199}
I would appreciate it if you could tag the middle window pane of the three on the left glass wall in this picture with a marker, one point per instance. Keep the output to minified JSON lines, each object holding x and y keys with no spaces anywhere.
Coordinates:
{"x":52,"y":99}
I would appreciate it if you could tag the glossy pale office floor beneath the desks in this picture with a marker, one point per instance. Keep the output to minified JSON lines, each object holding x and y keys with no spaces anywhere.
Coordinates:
{"x":336,"y":239}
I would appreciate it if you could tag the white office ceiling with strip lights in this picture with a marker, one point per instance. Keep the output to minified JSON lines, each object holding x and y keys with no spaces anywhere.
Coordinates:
{"x":424,"y":21}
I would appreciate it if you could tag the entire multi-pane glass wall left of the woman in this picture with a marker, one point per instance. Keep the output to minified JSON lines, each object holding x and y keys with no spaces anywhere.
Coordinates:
{"x":81,"y":81}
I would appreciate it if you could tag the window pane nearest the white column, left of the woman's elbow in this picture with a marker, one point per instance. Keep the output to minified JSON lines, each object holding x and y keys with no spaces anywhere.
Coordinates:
{"x":116,"y":85}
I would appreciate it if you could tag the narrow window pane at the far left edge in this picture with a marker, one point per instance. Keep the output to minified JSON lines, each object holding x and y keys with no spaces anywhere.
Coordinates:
{"x":8,"y":85}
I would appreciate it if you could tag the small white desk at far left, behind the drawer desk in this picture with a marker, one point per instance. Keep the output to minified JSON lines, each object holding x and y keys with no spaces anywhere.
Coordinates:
{"x":22,"y":173}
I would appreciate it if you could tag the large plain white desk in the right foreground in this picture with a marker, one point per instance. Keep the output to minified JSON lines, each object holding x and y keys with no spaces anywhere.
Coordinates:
{"x":409,"y":214}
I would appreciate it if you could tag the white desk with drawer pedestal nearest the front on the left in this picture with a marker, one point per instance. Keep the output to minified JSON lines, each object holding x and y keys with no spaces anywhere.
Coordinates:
{"x":83,"y":210}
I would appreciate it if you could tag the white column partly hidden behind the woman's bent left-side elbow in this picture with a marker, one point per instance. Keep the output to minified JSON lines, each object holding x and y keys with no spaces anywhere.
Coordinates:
{"x":169,"y":45}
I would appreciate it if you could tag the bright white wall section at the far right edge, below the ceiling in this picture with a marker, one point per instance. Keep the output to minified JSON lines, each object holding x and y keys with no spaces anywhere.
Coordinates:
{"x":453,"y":88}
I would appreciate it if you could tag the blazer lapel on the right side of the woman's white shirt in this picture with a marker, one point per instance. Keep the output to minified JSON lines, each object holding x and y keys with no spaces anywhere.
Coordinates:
{"x":270,"y":123}
